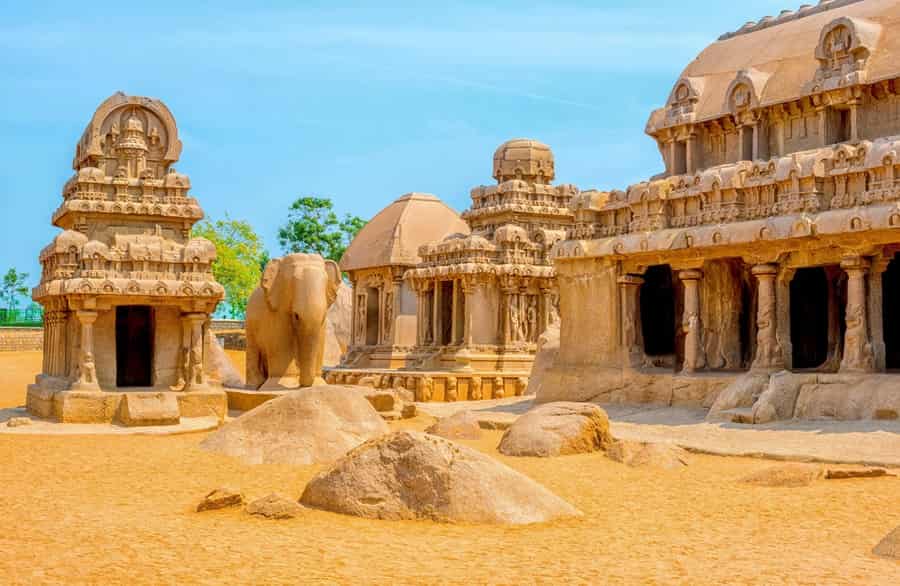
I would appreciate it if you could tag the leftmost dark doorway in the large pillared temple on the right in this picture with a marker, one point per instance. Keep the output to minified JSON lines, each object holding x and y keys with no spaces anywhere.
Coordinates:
{"x":658,"y":311}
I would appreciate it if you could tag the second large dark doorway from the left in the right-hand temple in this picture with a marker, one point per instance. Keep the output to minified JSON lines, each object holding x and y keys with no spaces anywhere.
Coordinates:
{"x":809,"y":317}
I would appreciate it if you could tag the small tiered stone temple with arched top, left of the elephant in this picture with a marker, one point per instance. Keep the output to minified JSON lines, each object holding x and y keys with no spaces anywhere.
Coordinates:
{"x":126,"y":291}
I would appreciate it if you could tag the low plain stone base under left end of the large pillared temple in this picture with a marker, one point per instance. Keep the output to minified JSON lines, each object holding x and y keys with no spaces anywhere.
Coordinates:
{"x":632,"y":387}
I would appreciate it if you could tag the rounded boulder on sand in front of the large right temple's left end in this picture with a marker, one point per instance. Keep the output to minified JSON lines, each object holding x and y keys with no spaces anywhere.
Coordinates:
{"x":558,"y":429}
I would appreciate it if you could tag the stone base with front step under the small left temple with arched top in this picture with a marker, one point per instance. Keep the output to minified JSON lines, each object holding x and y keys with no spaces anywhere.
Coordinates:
{"x":131,"y":409}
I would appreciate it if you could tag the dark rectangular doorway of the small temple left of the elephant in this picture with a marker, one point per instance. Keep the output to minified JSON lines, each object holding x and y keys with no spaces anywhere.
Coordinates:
{"x":134,"y":346}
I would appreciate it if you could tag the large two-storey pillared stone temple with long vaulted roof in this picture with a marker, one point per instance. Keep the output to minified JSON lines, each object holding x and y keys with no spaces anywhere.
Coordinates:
{"x":757,"y":275}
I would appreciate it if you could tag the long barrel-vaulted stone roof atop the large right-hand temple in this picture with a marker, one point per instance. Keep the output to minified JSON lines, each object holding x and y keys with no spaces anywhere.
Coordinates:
{"x":781,"y":59}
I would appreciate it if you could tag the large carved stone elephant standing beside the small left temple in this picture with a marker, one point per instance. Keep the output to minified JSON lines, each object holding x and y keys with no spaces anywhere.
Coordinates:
{"x":286,"y":321}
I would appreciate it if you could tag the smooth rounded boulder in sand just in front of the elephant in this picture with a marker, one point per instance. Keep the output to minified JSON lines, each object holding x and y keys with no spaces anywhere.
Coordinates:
{"x":313,"y":425}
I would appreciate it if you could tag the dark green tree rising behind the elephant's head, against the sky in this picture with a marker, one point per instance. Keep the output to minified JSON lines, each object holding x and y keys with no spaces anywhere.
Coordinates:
{"x":314,"y":227}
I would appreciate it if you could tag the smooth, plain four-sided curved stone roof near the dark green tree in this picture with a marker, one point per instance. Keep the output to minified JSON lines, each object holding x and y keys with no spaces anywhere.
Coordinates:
{"x":394,"y":235}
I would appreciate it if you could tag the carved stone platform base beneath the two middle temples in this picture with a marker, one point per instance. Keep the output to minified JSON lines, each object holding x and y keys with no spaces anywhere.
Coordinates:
{"x":435,"y":385}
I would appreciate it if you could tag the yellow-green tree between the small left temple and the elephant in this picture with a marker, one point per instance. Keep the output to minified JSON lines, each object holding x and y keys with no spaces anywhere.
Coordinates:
{"x":239,"y":260}
